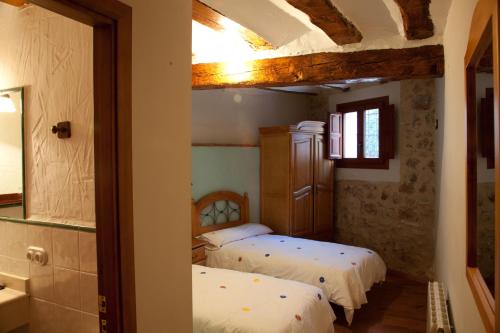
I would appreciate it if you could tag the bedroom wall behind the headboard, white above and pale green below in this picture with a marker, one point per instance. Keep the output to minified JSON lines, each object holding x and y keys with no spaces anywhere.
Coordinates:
{"x":234,"y":116}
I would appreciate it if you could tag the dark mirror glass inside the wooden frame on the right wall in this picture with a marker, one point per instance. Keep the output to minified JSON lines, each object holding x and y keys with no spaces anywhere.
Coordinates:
{"x":485,"y":165}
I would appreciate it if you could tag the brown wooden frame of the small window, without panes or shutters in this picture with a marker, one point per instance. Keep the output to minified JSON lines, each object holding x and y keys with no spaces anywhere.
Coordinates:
{"x":360,"y":106}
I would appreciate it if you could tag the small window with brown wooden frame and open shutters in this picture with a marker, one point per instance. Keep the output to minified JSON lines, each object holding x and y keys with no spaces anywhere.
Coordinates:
{"x":362,"y":134}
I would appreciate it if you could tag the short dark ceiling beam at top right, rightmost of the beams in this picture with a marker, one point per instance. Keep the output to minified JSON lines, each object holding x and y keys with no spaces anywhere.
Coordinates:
{"x":417,"y":20}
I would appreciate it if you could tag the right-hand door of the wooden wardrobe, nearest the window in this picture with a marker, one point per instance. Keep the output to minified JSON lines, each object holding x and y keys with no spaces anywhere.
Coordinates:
{"x":323,"y":189}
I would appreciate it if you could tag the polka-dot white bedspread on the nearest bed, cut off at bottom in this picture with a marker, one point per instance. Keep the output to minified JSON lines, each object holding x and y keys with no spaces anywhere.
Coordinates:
{"x":231,"y":301}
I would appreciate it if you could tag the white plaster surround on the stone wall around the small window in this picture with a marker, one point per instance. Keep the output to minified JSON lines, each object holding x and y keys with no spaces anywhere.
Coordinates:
{"x":392,"y":90}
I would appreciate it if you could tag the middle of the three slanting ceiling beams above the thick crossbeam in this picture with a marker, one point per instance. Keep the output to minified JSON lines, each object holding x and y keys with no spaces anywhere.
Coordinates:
{"x":328,"y":18}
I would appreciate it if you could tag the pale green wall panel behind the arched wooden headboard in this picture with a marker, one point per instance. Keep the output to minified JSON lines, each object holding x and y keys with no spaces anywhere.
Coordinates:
{"x":227,"y":168}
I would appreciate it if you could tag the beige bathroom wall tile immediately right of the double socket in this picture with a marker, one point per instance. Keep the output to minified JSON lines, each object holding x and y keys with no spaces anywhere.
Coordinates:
{"x":65,"y":248}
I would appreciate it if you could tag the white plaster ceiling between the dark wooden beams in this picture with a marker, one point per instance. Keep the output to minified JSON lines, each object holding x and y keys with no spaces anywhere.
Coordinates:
{"x":291,"y":32}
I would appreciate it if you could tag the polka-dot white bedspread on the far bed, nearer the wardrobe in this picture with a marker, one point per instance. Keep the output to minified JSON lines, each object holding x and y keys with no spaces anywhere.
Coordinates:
{"x":344,"y":273}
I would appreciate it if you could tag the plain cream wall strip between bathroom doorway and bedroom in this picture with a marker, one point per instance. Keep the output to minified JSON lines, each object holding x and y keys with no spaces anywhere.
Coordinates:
{"x":161,"y":130}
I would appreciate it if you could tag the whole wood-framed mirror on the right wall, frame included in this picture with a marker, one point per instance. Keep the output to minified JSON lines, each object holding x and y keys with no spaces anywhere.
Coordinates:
{"x":482,"y":91}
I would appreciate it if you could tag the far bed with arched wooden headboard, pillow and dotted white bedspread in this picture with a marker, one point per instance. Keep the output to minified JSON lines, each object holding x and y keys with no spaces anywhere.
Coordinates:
{"x":344,"y":273}
